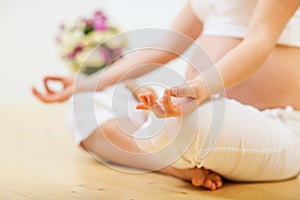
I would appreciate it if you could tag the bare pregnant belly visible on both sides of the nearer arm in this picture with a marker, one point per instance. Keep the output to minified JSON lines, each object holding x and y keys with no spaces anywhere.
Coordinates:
{"x":275,"y":84}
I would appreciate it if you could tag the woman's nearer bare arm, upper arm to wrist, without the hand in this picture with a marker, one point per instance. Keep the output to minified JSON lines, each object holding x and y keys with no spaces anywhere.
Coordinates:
{"x":252,"y":52}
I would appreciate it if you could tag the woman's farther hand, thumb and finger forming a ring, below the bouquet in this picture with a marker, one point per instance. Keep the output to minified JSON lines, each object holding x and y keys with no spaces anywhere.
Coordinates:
{"x":51,"y":96}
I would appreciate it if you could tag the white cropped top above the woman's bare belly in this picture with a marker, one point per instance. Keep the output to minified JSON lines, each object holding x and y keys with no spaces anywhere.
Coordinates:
{"x":231,"y":17}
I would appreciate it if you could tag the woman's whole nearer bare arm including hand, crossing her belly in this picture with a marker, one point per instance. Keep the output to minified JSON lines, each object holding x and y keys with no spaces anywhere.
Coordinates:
{"x":236,"y":66}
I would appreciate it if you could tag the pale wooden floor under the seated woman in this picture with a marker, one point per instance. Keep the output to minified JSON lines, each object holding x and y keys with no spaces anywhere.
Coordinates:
{"x":39,"y":161}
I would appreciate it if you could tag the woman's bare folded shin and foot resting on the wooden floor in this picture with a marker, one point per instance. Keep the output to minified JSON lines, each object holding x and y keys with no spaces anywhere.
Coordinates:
{"x":110,"y":143}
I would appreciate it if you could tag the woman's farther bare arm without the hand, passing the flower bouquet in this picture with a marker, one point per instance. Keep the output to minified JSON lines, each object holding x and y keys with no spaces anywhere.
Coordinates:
{"x":184,"y":30}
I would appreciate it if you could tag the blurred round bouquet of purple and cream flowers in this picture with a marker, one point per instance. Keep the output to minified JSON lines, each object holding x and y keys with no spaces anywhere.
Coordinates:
{"x":85,"y":44}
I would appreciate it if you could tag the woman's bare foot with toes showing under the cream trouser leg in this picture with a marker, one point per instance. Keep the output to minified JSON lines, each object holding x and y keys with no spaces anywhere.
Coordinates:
{"x":199,"y":177}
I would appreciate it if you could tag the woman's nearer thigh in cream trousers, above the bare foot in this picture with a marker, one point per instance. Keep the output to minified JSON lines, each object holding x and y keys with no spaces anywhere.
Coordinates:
{"x":251,"y":145}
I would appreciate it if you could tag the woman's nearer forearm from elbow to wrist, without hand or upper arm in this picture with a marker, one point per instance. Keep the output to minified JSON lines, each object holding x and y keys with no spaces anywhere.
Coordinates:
{"x":238,"y":65}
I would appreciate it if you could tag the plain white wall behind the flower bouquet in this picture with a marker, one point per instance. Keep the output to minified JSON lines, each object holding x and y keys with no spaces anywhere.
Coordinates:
{"x":27,"y":35}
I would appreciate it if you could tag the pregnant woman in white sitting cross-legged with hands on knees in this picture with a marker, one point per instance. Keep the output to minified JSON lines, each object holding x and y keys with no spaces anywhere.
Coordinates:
{"x":255,"y":45}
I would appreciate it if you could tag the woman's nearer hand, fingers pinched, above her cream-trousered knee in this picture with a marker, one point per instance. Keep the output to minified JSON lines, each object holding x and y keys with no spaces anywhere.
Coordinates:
{"x":177,"y":101}
